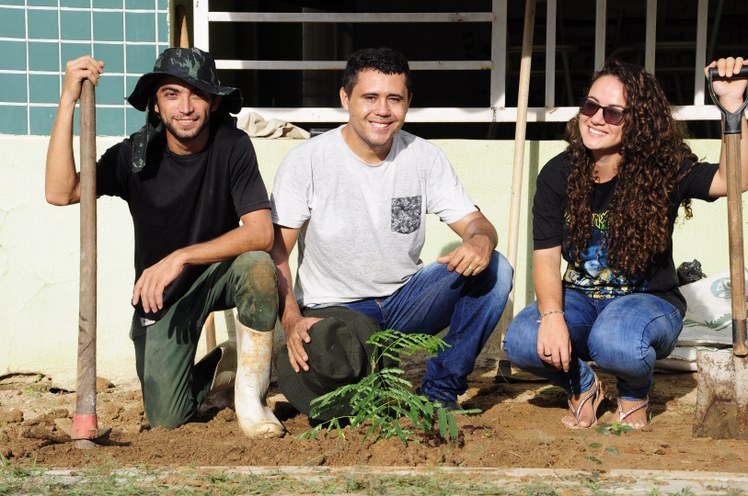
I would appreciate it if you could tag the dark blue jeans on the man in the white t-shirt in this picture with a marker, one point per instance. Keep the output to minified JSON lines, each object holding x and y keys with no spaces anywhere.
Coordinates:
{"x":435,"y":298}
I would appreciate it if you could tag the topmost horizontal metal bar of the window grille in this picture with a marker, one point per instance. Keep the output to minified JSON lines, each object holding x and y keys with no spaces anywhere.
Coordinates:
{"x":350,"y":17}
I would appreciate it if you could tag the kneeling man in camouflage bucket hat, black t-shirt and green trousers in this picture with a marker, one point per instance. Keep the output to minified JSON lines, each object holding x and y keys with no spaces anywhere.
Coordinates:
{"x":189,"y":177}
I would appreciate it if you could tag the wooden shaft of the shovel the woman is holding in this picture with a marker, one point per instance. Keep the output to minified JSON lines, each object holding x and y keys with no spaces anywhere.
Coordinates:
{"x":735,"y":229}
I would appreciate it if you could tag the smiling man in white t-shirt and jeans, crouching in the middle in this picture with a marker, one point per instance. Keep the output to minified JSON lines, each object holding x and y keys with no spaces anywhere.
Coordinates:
{"x":355,"y":199}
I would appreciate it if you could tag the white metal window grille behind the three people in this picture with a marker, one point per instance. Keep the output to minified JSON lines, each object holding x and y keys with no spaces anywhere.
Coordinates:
{"x":496,"y":111}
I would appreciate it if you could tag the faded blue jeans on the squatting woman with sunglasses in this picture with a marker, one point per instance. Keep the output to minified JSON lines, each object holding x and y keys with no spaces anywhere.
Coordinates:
{"x":623,"y":335}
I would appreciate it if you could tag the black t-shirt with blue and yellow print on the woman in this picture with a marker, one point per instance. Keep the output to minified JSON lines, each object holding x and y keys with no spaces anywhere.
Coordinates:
{"x":593,"y":276}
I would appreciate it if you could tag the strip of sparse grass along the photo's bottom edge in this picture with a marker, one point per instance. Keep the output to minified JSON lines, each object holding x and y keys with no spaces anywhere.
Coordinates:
{"x":188,"y":482}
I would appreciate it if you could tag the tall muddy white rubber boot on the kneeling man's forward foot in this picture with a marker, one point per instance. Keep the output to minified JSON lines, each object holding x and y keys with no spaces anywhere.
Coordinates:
{"x":254,"y":352}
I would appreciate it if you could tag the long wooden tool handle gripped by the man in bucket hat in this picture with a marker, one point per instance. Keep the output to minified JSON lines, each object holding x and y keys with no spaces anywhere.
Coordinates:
{"x":85,"y":405}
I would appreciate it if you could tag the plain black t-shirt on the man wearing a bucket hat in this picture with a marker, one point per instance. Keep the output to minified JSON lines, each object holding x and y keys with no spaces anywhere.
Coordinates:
{"x":181,"y":200}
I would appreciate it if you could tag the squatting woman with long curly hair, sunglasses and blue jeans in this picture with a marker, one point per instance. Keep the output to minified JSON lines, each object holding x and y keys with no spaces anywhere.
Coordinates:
{"x":607,"y":206}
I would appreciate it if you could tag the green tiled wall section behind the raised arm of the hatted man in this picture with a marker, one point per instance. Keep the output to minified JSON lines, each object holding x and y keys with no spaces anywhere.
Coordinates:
{"x":37,"y":38}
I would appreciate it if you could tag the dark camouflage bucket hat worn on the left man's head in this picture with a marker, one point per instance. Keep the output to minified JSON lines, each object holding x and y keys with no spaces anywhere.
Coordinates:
{"x":193,"y":66}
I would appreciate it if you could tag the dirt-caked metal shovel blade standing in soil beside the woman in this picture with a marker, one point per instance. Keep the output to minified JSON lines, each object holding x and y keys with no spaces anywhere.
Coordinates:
{"x":722,"y":395}
